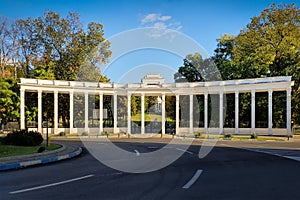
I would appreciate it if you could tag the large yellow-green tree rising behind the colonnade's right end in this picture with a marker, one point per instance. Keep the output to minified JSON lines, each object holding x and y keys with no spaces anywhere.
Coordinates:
{"x":270,"y":46}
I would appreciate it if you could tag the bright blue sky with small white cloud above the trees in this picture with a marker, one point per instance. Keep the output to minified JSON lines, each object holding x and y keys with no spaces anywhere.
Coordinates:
{"x":201,"y":20}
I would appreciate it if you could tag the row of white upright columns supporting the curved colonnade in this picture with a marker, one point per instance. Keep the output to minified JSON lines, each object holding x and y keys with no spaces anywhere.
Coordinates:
{"x":191,"y":96}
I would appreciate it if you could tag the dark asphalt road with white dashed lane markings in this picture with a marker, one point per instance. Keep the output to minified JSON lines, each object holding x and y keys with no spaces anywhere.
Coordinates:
{"x":226,"y":173}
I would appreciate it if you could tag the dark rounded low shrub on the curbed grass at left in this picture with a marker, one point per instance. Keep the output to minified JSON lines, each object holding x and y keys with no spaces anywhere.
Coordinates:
{"x":23,"y":138}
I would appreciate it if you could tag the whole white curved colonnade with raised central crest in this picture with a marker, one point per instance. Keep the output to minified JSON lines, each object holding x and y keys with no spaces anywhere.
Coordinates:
{"x":154,"y":85}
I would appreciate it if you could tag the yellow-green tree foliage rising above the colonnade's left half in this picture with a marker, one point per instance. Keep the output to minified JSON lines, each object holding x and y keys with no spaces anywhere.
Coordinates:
{"x":66,"y":49}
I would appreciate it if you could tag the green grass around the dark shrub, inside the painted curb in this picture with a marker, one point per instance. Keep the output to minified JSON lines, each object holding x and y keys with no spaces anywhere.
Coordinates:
{"x":10,"y":150}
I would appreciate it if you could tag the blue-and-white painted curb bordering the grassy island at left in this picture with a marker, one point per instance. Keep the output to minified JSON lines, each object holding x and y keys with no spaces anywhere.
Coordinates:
{"x":45,"y":160}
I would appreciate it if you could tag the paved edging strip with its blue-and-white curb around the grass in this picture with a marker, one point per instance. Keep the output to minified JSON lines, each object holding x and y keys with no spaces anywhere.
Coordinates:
{"x":15,"y":162}
